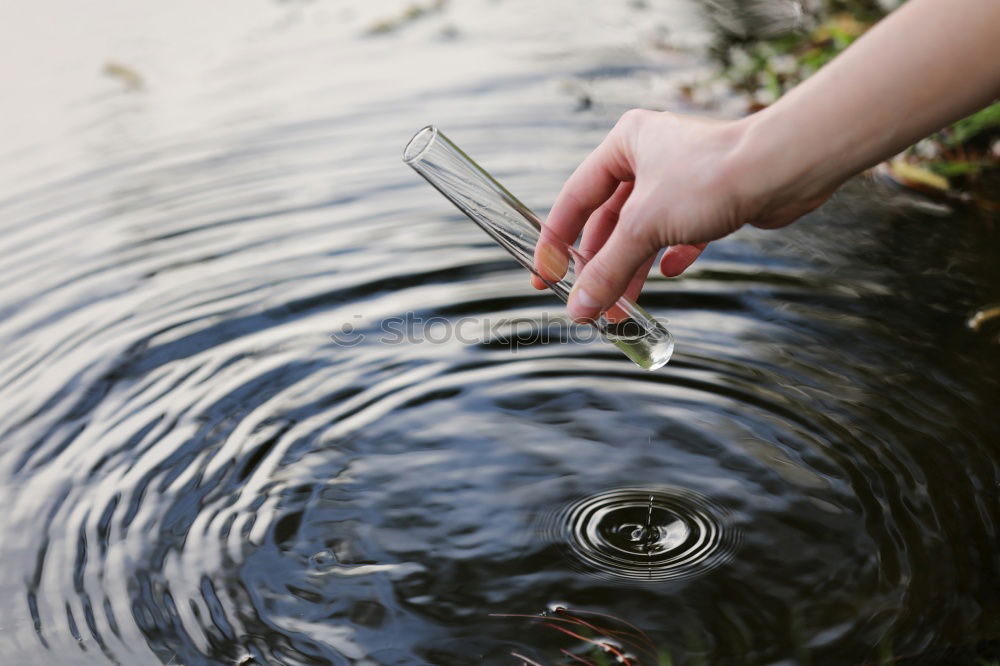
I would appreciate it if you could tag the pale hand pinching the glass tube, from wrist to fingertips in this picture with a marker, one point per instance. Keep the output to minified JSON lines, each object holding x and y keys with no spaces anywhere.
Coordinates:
{"x":659,"y":180}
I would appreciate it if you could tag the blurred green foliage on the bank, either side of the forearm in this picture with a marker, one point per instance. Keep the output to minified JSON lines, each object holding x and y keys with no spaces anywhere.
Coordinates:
{"x":961,"y":162}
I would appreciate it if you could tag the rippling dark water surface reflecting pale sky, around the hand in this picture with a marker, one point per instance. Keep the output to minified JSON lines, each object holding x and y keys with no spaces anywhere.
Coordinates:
{"x":211,"y":453}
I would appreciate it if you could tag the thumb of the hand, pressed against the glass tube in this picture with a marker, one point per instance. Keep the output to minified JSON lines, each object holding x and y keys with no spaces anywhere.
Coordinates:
{"x":605,"y":278}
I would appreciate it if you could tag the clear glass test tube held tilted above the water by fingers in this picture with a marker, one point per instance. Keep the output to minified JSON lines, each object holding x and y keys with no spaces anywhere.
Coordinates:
{"x":509,"y":222}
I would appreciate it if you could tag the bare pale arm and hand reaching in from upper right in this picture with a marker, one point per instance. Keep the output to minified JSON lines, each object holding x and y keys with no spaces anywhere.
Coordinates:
{"x":662,"y":180}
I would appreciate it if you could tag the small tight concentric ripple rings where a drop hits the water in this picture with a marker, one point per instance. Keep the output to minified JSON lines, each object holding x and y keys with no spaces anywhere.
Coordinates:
{"x":648,"y":533}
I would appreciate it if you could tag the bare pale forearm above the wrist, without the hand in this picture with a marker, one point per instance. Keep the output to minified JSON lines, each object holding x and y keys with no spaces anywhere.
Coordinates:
{"x":928,"y":64}
